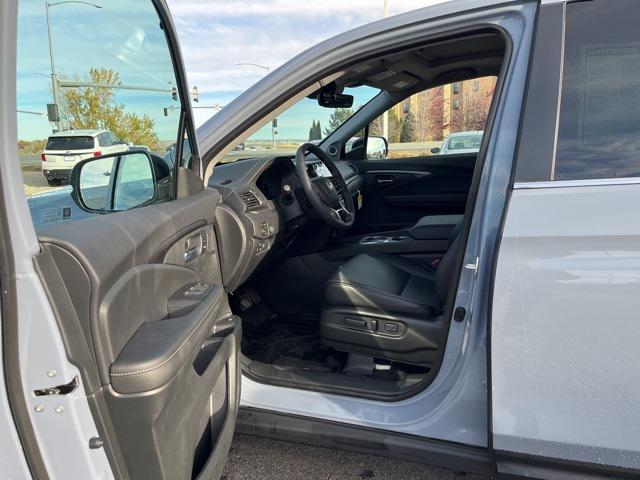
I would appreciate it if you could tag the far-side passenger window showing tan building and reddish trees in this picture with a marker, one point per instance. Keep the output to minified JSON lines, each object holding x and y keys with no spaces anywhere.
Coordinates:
{"x":444,"y":120}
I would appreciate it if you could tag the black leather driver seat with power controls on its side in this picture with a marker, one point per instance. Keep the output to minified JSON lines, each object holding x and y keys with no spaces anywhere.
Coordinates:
{"x":388,"y":306}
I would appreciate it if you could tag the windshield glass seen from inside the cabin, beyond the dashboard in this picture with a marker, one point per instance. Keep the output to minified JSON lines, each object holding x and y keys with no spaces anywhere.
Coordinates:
{"x":305,"y":121}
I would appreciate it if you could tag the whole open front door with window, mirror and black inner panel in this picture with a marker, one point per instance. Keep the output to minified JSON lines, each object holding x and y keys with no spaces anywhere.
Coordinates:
{"x":146,"y":381}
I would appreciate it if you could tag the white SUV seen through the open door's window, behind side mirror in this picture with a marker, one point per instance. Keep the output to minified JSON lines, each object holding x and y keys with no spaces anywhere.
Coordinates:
{"x":65,"y":149}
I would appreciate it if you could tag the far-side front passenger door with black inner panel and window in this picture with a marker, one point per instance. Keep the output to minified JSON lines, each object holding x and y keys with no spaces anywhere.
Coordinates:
{"x":415,"y":179}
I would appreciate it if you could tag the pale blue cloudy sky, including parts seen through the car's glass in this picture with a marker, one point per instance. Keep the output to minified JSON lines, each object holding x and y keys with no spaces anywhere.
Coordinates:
{"x":215,"y":36}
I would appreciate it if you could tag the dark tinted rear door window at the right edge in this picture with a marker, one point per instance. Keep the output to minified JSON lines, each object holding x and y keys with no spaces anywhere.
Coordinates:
{"x":599,"y":134}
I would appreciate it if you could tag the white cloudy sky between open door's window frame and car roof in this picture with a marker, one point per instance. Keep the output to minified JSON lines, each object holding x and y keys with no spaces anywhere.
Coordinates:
{"x":215,"y":35}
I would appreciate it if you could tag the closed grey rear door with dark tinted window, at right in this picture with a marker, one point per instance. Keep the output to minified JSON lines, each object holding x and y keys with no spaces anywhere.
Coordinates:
{"x":564,"y":332}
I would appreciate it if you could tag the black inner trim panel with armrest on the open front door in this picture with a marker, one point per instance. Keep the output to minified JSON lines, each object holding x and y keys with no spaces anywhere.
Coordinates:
{"x":148,"y":321}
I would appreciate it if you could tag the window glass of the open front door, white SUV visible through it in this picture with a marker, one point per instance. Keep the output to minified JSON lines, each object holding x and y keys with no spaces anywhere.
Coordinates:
{"x":74,"y":106}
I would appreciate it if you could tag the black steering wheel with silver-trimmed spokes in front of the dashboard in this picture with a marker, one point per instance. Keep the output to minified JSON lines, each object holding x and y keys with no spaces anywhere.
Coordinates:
{"x":329,"y":196}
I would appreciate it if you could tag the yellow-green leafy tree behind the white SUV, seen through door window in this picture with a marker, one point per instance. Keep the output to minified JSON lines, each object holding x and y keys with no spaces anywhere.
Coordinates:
{"x":96,"y":107}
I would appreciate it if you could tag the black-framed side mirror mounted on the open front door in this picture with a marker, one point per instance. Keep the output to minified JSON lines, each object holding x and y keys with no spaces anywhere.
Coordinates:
{"x":115,"y":182}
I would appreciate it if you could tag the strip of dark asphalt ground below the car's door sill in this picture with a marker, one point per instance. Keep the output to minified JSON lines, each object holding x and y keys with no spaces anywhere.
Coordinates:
{"x":256,"y":458}
